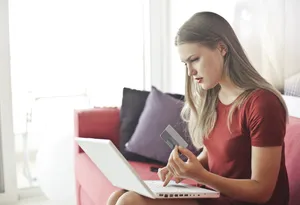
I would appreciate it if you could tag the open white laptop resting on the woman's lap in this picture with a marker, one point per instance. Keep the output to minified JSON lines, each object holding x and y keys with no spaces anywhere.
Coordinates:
{"x":121,"y":174}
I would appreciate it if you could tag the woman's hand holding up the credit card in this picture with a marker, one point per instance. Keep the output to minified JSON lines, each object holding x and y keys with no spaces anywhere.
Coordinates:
{"x":192,"y":168}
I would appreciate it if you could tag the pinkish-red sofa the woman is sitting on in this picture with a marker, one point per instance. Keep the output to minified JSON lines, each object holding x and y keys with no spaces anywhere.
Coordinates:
{"x":94,"y":189}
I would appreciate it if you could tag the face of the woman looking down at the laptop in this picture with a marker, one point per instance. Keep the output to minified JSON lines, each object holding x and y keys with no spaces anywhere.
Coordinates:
{"x":205,"y":65}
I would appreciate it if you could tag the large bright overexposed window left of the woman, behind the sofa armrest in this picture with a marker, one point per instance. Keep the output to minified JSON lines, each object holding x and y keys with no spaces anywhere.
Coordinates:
{"x":68,"y":54}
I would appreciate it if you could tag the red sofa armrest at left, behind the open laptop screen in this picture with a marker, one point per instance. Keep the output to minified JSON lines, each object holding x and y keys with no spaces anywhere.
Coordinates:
{"x":101,"y":123}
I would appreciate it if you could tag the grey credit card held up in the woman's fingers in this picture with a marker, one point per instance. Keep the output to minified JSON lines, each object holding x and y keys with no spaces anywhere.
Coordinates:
{"x":172,"y":138}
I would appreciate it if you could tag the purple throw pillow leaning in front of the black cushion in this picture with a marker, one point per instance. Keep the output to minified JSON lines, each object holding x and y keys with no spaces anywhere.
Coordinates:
{"x":160,"y":111}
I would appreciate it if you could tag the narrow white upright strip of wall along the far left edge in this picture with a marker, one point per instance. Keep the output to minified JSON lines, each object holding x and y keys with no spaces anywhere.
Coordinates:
{"x":7,"y":138}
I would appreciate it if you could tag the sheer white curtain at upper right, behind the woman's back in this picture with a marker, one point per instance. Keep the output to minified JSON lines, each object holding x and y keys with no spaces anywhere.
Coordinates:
{"x":268,"y":31}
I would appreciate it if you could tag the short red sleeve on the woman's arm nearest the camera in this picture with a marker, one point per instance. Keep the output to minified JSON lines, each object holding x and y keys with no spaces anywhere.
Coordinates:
{"x":267,"y":120}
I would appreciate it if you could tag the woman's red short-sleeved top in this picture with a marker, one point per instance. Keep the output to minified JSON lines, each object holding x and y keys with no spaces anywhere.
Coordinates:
{"x":260,"y":122}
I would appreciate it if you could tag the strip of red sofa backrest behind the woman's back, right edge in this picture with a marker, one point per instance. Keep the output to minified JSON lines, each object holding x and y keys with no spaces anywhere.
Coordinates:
{"x":292,"y":156}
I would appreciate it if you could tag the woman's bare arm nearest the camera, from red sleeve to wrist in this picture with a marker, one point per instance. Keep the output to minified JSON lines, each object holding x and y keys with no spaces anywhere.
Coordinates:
{"x":265,"y":168}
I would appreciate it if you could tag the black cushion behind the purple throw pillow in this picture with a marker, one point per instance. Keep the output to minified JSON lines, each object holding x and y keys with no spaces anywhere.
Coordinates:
{"x":133,"y":103}
